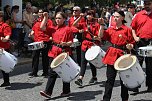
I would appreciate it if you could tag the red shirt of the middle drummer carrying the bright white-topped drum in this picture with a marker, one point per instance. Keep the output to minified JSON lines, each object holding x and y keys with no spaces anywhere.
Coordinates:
{"x":94,"y":29}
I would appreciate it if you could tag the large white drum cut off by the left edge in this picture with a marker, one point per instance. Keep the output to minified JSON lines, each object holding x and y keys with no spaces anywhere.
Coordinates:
{"x":8,"y":61}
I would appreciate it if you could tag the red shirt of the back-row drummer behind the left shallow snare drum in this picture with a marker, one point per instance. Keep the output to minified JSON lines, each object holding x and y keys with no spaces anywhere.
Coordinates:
{"x":40,"y":35}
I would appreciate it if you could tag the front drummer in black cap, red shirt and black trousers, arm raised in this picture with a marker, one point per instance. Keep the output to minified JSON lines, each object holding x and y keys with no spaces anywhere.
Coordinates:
{"x":121,"y":38}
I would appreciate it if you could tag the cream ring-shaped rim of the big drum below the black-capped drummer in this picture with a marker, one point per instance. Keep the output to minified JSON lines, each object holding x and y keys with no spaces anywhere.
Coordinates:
{"x":122,"y":57}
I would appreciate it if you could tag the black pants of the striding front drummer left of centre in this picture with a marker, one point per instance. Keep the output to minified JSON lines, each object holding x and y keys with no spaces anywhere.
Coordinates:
{"x":51,"y":82}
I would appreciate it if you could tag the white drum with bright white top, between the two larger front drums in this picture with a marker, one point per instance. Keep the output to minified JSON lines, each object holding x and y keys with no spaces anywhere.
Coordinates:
{"x":94,"y":55}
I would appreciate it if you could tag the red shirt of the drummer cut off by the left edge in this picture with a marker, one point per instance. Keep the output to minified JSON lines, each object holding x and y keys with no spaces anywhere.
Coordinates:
{"x":5,"y":30}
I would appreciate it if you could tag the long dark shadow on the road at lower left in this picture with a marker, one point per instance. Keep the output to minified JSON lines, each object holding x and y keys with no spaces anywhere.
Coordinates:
{"x":19,"y":86}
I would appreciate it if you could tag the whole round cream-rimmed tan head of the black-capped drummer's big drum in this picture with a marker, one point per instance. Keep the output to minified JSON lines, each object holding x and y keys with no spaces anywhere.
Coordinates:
{"x":125,"y":62}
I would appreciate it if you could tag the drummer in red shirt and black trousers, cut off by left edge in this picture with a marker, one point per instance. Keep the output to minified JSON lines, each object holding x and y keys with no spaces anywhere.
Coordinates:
{"x":5,"y":33}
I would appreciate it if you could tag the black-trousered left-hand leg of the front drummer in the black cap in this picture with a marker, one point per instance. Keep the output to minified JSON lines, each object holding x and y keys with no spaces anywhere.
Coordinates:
{"x":111,"y":75}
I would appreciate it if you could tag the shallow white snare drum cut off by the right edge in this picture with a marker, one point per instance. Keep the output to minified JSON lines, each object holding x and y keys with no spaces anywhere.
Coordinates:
{"x":145,"y":51}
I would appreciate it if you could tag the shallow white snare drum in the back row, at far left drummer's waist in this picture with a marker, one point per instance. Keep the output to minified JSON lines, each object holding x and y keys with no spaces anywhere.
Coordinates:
{"x":36,"y":45}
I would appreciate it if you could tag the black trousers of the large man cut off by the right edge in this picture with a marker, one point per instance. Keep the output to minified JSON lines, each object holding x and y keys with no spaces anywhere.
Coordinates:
{"x":148,"y":61}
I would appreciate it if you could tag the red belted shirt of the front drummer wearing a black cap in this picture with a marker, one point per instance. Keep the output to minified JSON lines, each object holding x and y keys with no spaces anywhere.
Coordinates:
{"x":113,"y":36}
